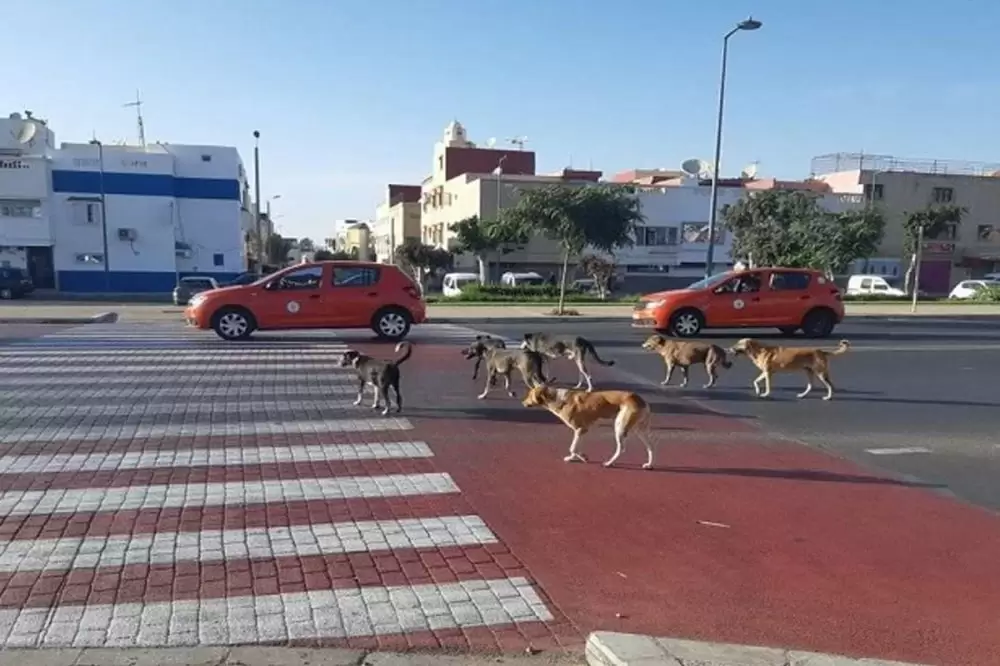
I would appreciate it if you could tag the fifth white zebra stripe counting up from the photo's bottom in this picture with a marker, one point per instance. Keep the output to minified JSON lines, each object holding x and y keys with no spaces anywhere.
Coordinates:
{"x":94,"y":433}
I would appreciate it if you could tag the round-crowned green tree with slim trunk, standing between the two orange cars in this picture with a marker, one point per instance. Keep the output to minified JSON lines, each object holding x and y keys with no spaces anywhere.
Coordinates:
{"x":604,"y":217}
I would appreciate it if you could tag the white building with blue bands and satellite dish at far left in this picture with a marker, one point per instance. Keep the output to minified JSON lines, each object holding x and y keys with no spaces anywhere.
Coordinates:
{"x":90,"y":218}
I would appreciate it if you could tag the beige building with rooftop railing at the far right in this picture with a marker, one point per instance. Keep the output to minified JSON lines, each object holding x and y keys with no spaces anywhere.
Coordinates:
{"x":900,"y":187}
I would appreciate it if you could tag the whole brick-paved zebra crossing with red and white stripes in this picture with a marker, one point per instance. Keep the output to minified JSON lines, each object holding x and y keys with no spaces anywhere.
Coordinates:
{"x":159,"y":487}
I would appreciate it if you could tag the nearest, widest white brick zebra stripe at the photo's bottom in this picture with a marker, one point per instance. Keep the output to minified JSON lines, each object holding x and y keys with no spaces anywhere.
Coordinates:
{"x":276,"y":618}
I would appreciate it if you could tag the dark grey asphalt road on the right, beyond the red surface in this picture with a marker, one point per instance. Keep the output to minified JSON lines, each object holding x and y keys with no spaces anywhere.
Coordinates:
{"x":917,"y":397}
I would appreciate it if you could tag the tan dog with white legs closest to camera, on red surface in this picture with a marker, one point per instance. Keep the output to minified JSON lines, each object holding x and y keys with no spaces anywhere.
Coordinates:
{"x":581,"y":409}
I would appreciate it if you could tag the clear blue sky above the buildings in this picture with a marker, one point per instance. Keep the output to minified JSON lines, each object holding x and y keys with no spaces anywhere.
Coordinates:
{"x":350,"y":95}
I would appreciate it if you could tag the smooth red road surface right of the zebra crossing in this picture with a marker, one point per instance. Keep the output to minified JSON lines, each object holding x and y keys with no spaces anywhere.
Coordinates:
{"x":734,"y":536}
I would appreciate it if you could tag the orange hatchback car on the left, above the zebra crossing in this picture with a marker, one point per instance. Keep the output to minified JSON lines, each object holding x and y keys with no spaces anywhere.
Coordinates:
{"x":325,"y":294}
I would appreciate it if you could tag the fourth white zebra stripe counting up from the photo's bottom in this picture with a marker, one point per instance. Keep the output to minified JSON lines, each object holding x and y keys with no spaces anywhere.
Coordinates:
{"x":52,"y":463}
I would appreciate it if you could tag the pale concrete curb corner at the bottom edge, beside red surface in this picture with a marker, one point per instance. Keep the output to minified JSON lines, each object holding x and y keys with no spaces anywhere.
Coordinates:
{"x":607,"y":648}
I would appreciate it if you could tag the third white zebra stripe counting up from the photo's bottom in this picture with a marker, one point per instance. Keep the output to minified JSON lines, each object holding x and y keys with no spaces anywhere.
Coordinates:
{"x":235,"y":493}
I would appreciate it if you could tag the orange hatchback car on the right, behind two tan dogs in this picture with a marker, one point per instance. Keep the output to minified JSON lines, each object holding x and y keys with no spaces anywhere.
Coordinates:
{"x":789,"y":299}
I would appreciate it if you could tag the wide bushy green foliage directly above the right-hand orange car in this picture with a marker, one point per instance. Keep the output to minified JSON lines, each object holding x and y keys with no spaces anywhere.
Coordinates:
{"x":790,"y":228}
